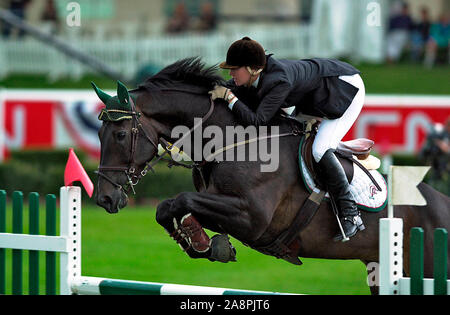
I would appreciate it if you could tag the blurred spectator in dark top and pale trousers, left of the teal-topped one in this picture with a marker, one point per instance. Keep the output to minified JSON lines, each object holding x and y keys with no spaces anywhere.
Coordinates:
{"x":400,"y":26}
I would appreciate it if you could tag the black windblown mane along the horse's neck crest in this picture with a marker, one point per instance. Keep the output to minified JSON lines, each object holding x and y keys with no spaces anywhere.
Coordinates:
{"x":190,"y":71}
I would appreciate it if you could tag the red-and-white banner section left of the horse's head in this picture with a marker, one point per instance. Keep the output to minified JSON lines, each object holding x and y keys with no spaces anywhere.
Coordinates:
{"x":31,"y":119}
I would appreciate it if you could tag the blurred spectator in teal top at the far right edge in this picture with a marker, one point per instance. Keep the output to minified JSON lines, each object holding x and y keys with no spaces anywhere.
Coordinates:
{"x":439,"y":40}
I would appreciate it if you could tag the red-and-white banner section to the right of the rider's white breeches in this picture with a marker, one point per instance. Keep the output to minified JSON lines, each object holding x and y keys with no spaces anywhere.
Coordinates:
{"x":399,"y":123}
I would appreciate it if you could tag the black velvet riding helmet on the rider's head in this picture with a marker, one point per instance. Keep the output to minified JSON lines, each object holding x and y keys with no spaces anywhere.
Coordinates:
{"x":245,"y":52}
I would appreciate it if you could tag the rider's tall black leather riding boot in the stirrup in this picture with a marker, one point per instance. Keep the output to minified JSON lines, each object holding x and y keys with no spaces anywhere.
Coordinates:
{"x":333,"y":176}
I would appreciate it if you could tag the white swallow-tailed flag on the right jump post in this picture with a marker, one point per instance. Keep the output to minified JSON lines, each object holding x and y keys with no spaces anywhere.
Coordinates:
{"x":404,"y":185}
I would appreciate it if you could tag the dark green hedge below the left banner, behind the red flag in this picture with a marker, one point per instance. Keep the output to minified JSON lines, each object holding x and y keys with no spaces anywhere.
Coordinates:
{"x":42,"y":171}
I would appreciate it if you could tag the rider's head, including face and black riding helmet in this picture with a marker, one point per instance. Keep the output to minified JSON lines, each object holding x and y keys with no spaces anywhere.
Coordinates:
{"x":245,"y":59}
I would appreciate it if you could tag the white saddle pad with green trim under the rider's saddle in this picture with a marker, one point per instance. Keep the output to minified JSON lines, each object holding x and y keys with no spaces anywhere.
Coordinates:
{"x":364,"y":192}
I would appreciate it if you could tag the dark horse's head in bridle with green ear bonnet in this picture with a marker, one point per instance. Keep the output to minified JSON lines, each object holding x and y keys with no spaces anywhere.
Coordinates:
{"x":128,"y":142}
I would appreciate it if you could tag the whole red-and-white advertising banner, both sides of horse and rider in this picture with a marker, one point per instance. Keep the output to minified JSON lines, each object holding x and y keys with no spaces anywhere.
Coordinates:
{"x":62,"y":119}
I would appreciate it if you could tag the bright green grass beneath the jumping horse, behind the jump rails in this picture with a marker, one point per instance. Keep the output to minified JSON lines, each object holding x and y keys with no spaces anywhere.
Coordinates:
{"x":131,"y":245}
